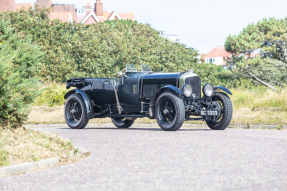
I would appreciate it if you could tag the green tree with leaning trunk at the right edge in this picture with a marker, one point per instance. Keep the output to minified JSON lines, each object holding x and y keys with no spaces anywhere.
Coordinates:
{"x":268,"y":36}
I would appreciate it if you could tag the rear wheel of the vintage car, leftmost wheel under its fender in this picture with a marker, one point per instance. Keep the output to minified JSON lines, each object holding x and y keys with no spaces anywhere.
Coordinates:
{"x":75,"y":112}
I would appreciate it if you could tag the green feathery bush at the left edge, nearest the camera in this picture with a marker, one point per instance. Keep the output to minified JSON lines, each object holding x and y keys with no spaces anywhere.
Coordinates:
{"x":19,"y":63}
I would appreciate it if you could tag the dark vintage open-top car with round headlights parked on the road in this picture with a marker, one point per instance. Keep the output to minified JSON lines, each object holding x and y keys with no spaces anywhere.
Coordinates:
{"x":170,"y":98}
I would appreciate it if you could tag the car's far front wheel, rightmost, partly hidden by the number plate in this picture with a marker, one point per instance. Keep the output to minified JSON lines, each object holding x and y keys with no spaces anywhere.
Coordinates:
{"x":221,"y":122}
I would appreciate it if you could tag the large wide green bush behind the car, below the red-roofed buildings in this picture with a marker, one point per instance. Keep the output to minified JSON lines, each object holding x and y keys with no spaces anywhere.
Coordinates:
{"x":103,"y":49}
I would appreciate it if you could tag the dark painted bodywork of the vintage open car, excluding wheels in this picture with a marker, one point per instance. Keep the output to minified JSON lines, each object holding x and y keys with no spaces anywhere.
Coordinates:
{"x":137,"y":93}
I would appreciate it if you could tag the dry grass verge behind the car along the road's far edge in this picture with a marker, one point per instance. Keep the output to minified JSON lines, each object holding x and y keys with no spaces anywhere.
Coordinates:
{"x":255,"y":105}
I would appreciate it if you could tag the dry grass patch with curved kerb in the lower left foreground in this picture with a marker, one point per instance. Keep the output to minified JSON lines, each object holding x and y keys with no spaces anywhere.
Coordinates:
{"x":27,"y":145}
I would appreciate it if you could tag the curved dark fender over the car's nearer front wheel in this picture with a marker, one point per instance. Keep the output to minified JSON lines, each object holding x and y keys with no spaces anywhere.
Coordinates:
{"x":173,"y":89}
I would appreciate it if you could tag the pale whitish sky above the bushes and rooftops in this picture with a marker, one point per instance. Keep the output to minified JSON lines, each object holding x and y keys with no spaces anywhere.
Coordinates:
{"x":200,"y":24}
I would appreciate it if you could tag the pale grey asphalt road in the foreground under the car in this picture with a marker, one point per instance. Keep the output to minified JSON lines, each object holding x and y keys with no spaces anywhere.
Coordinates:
{"x":142,"y":158}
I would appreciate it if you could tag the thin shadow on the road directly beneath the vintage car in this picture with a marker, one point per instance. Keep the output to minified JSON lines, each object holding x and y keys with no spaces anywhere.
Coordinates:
{"x":136,"y":129}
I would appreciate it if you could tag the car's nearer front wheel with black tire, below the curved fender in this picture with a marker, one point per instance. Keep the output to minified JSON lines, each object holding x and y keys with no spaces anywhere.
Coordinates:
{"x":170,"y":112}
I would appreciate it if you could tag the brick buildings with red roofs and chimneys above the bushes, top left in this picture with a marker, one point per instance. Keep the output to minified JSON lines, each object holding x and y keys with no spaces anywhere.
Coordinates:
{"x":68,"y":12}
